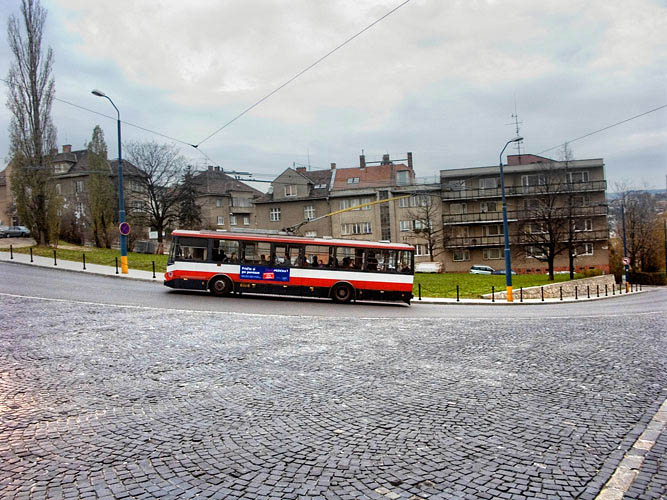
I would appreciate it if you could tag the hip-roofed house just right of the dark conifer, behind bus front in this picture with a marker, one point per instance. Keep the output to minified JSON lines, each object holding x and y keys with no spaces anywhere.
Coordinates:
{"x":225,"y":203}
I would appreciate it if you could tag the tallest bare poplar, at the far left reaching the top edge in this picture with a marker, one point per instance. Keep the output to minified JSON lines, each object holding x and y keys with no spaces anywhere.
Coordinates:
{"x":32,"y":134}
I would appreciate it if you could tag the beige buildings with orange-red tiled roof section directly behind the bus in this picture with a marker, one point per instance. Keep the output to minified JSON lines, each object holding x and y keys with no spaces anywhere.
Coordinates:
{"x":298,"y":195}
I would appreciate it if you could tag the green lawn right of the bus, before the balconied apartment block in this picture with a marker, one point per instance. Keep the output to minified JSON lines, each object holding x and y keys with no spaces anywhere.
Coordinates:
{"x":474,"y":285}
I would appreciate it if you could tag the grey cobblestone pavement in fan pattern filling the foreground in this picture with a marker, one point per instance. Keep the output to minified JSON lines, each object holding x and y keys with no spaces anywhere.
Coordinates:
{"x":109,"y":402}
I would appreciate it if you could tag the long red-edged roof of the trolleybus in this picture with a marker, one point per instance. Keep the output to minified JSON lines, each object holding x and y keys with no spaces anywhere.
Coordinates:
{"x":290,"y":239}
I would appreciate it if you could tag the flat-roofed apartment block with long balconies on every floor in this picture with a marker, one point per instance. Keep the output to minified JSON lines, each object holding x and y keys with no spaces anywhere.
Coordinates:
{"x":546,"y":199}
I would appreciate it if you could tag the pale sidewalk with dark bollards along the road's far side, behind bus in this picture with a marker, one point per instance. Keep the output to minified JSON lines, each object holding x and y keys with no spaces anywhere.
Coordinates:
{"x":69,"y":265}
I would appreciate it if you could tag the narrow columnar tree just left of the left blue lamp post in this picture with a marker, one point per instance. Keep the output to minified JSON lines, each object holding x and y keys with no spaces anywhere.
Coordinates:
{"x":102,"y":199}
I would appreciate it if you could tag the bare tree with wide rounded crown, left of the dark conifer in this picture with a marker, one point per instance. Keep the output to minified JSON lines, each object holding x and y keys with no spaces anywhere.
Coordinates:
{"x":159,"y":170}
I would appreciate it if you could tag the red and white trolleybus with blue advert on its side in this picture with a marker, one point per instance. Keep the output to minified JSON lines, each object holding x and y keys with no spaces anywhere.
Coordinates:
{"x":342,"y":270}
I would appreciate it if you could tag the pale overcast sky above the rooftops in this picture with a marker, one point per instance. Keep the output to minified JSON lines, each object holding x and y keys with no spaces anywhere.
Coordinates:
{"x":438,"y":78}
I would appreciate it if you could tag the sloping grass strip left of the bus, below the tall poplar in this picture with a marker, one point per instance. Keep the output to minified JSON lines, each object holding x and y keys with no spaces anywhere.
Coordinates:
{"x":102,"y":256}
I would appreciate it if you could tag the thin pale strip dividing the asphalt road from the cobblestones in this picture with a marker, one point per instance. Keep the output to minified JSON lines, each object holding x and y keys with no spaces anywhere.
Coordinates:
{"x":149,"y":308}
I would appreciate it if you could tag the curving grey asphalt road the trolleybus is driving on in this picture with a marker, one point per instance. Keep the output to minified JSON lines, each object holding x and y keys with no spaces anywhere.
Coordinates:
{"x":78,"y":286}
